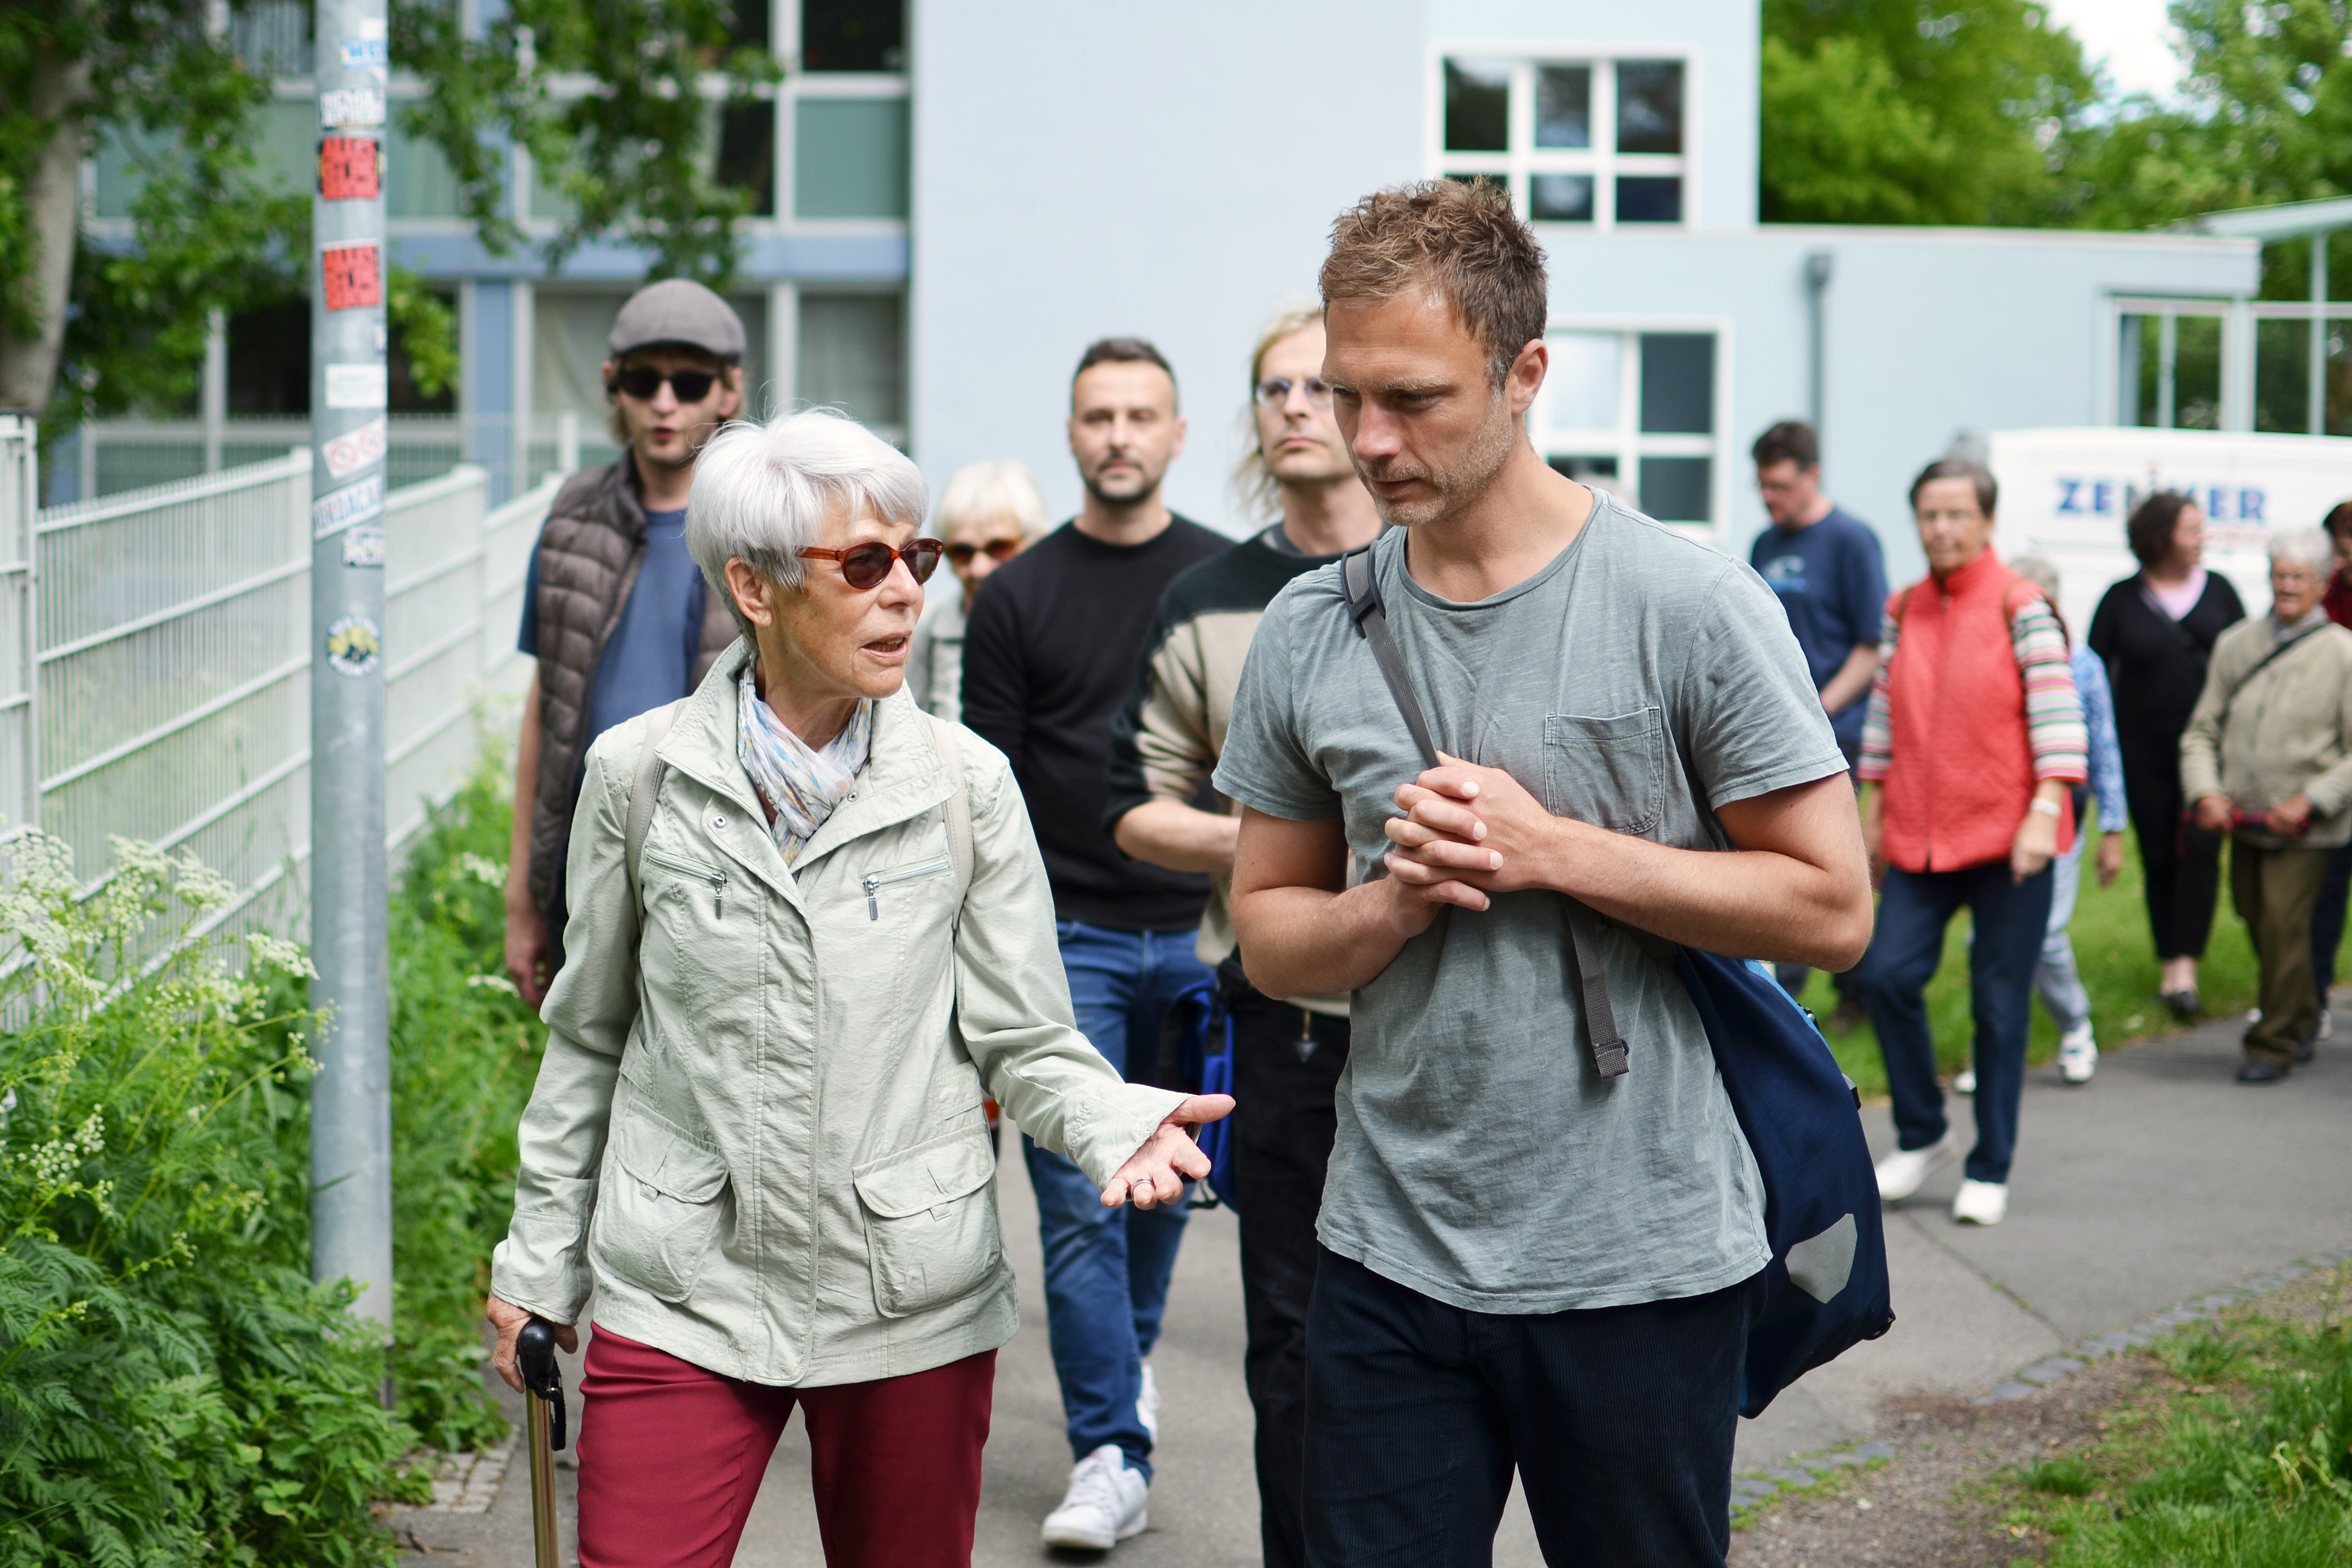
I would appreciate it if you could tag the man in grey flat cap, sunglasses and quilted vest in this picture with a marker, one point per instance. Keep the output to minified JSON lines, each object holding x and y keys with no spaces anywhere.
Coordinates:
{"x":615,"y":610}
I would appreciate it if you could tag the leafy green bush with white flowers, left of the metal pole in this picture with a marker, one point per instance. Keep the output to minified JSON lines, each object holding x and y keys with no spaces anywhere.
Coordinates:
{"x":173,"y":1386}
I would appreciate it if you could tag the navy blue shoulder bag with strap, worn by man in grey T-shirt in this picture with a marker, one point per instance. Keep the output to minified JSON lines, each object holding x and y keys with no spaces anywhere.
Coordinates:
{"x":1826,"y":1282}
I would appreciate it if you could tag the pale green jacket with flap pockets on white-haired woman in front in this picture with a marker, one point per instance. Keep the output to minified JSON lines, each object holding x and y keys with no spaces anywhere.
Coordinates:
{"x":759,"y":1127}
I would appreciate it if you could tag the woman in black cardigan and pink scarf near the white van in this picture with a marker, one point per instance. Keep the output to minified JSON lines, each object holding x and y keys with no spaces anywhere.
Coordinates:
{"x":2156,"y":634}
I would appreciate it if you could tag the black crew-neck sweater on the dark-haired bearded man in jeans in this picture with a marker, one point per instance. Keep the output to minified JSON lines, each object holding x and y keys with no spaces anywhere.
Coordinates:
{"x":1050,"y":657}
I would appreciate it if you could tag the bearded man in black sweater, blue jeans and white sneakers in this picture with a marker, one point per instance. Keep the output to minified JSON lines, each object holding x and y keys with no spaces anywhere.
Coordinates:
{"x":1050,"y":657}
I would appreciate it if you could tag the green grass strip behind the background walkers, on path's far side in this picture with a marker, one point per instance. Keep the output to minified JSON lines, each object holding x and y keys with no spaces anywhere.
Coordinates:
{"x":2118,"y":967}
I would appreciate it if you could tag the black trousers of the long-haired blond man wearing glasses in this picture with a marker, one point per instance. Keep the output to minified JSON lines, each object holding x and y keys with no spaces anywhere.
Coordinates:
{"x":1285,"y":1071}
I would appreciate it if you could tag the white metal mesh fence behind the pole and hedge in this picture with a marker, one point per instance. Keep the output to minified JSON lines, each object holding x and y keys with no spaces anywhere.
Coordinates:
{"x":156,"y":659}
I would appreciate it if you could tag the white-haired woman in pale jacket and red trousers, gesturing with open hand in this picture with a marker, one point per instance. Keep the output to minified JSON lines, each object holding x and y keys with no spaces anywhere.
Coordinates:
{"x":810,"y":932}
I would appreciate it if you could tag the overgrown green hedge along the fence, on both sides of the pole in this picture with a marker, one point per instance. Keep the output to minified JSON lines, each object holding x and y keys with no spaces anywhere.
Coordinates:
{"x":173,"y":1386}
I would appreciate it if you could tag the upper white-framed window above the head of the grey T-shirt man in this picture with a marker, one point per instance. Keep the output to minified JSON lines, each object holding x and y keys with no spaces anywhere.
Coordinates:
{"x":1577,"y":138}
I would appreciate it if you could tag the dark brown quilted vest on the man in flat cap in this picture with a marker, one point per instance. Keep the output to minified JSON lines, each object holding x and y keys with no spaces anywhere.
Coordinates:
{"x":589,"y":556}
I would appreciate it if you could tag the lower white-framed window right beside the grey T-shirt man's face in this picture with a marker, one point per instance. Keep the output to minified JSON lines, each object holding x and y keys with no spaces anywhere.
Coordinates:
{"x":1636,"y":413}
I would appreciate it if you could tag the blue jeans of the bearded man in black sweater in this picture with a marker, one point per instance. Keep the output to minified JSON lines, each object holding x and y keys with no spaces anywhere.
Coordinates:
{"x":1107,"y":1271}
